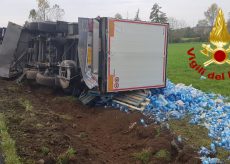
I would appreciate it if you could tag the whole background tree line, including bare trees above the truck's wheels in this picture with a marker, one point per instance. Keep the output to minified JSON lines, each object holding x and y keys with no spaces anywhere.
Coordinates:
{"x":179,"y":31}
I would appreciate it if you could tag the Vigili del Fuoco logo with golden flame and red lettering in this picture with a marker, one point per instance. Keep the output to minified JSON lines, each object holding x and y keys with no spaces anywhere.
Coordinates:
{"x":217,"y":52}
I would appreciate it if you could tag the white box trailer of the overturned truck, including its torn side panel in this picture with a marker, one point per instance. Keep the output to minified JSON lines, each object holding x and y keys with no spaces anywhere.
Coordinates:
{"x":131,"y":55}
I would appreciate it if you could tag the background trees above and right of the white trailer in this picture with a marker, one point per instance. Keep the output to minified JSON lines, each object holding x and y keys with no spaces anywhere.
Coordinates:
{"x":179,"y":31}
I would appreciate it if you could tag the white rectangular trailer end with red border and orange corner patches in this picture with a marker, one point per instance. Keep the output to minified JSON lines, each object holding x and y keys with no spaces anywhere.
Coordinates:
{"x":136,"y":55}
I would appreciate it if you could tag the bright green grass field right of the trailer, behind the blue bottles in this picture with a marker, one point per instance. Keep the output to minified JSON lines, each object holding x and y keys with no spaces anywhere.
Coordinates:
{"x":178,"y":70}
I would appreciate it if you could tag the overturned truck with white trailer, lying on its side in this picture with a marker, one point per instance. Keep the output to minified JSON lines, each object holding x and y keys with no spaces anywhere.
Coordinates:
{"x":92,"y":58}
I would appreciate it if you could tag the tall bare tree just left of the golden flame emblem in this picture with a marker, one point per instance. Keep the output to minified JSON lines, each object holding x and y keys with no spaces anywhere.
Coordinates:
{"x":211,"y":14}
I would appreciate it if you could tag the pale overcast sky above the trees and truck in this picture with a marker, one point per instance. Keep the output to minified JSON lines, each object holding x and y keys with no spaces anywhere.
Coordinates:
{"x":189,"y":10}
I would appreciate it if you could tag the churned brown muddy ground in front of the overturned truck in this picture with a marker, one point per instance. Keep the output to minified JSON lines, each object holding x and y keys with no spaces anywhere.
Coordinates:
{"x":50,"y":127}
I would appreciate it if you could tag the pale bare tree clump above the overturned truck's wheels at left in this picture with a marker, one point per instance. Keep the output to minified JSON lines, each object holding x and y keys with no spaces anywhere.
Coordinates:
{"x":44,"y":12}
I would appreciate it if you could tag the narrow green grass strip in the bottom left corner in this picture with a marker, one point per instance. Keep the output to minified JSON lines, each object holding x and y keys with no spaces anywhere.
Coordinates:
{"x":7,"y":144}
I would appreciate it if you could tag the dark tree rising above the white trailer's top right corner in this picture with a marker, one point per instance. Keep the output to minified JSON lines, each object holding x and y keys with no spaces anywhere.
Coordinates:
{"x":157,"y":15}
